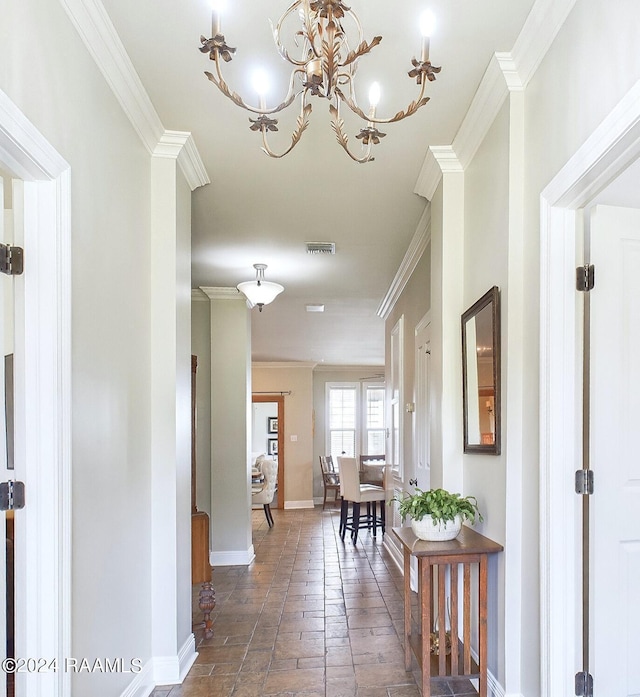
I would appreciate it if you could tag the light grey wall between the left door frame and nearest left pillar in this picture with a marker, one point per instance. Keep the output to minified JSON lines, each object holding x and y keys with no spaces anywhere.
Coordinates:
{"x":68,"y":101}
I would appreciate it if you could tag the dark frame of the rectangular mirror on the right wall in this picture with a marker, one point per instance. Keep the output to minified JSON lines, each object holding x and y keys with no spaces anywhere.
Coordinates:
{"x":490,"y":299}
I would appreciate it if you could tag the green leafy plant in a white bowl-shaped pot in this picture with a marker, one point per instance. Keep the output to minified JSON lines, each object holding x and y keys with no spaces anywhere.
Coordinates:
{"x":437,"y":514}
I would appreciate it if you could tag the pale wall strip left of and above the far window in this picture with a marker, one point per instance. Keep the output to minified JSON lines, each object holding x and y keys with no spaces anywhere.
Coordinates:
{"x":321,"y":376}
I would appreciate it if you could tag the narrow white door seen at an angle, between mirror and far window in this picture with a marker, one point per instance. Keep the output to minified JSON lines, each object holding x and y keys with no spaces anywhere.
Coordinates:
{"x":422,"y":415}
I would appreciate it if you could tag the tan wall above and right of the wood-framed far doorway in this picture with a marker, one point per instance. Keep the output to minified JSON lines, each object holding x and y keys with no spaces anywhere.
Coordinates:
{"x":298,"y":419}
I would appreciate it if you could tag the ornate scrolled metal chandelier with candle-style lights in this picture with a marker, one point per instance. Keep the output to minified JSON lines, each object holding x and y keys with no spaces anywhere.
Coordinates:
{"x":331,"y":43}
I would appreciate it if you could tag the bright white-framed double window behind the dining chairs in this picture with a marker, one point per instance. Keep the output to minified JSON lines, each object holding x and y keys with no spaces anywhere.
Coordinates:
{"x":355,"y":419}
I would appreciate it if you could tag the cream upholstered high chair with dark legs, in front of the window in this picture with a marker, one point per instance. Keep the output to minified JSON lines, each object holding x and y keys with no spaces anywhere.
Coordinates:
{"x":354,"y":492}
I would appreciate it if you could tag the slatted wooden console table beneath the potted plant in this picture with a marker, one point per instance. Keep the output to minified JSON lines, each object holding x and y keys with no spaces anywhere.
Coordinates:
{"x":438,"y":575}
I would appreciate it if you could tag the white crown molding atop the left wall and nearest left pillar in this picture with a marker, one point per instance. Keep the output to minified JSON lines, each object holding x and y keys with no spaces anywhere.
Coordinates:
{"x":101,"y":39}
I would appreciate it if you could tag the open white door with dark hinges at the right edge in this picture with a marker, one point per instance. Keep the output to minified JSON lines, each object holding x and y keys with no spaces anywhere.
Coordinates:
{"x":615,"y":455}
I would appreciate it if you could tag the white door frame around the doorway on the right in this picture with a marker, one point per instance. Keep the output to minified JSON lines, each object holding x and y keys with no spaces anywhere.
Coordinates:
{"x":613,"y":145}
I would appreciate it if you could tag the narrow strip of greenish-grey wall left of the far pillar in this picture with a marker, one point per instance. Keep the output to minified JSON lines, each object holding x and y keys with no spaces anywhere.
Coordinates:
{"x":201,"y":347}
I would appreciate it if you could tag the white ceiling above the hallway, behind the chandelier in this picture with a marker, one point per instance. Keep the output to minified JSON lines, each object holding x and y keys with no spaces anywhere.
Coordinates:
{"x":258,"y":209}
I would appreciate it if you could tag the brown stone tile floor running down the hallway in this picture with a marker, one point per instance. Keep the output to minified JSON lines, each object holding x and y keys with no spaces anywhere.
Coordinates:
{"x":310,"y":617}
